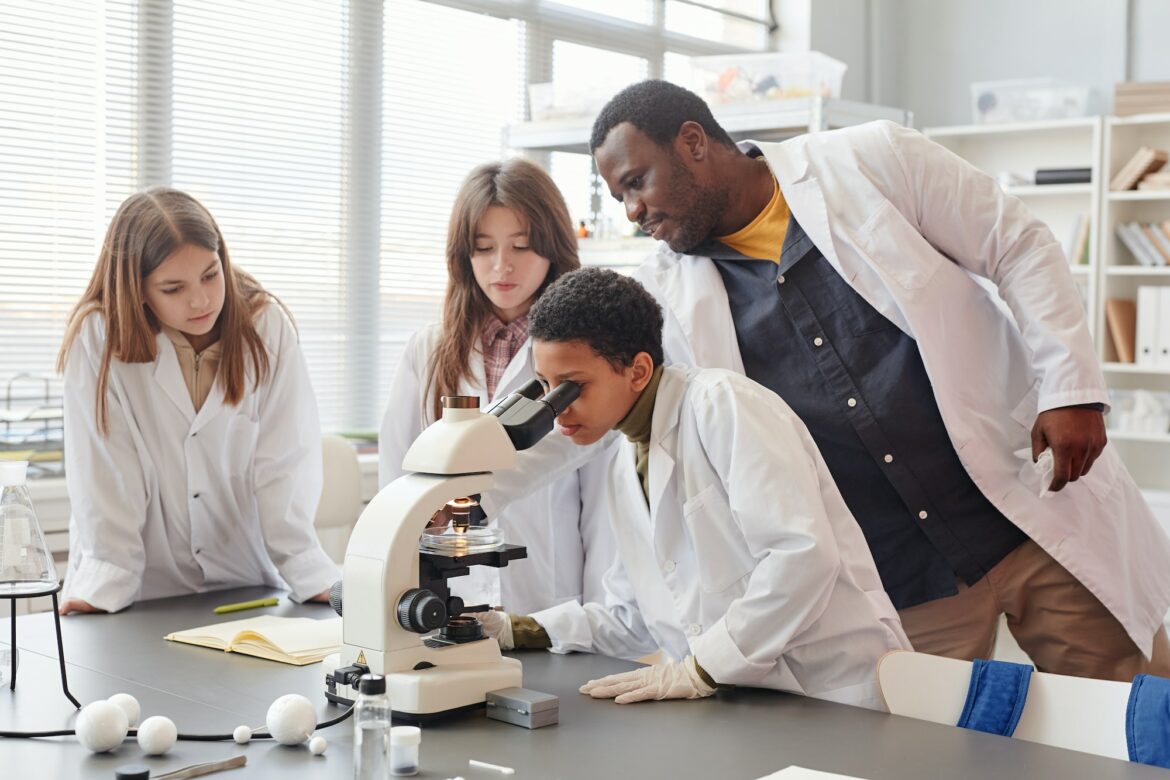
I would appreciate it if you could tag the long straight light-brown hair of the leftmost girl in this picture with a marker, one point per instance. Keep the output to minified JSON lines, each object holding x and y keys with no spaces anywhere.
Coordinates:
{"x":147,"y":230}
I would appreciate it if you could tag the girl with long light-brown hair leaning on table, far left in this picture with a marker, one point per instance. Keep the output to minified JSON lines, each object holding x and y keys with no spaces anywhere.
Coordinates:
{"x":192,"y":440}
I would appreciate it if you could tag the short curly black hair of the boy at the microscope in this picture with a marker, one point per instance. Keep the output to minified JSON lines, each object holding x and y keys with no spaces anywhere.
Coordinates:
{"x":612,"y":314}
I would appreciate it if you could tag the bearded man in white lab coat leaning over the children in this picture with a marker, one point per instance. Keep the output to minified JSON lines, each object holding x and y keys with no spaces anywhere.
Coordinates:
{"x":837,"y":270}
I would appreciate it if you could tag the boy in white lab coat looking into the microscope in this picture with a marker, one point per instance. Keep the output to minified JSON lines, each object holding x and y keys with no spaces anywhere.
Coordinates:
{"x":737,"y":554}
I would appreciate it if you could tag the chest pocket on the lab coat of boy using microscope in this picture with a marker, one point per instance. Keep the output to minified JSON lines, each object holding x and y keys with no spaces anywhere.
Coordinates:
{"x":721,"y":555}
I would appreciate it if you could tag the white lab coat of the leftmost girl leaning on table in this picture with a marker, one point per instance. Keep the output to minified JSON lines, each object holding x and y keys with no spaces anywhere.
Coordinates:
{"x":174,"y":502}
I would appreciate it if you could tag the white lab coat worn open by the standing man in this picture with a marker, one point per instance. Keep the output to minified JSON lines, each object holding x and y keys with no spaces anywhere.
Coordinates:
{"x":910,"y":225}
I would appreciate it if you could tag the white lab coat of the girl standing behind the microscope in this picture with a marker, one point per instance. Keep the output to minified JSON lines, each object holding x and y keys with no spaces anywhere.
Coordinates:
{"x":568,"y":539}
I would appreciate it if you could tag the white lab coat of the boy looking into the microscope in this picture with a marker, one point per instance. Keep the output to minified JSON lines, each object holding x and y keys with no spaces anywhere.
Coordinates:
{"x":747,"y":557}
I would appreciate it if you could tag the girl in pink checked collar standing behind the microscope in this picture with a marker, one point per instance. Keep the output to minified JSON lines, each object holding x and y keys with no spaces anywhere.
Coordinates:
{"x":508,"y":239}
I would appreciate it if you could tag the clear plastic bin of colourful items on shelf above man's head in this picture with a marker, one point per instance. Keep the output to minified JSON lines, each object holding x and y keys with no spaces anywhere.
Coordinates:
{"x":774,"y":77}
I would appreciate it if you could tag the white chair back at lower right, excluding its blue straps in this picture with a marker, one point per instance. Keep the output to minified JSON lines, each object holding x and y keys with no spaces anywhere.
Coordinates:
{"x":1072,"y":713}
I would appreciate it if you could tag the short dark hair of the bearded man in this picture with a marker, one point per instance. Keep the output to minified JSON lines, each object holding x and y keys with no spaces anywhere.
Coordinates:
{"x":658,"y":108}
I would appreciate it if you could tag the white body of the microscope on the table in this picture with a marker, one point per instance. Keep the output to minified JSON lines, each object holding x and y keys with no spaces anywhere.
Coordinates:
{"x":452,"y":459}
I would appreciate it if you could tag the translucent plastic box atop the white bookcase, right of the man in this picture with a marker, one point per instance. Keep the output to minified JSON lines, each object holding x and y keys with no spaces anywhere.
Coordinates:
{"x":1028,"y":100}
